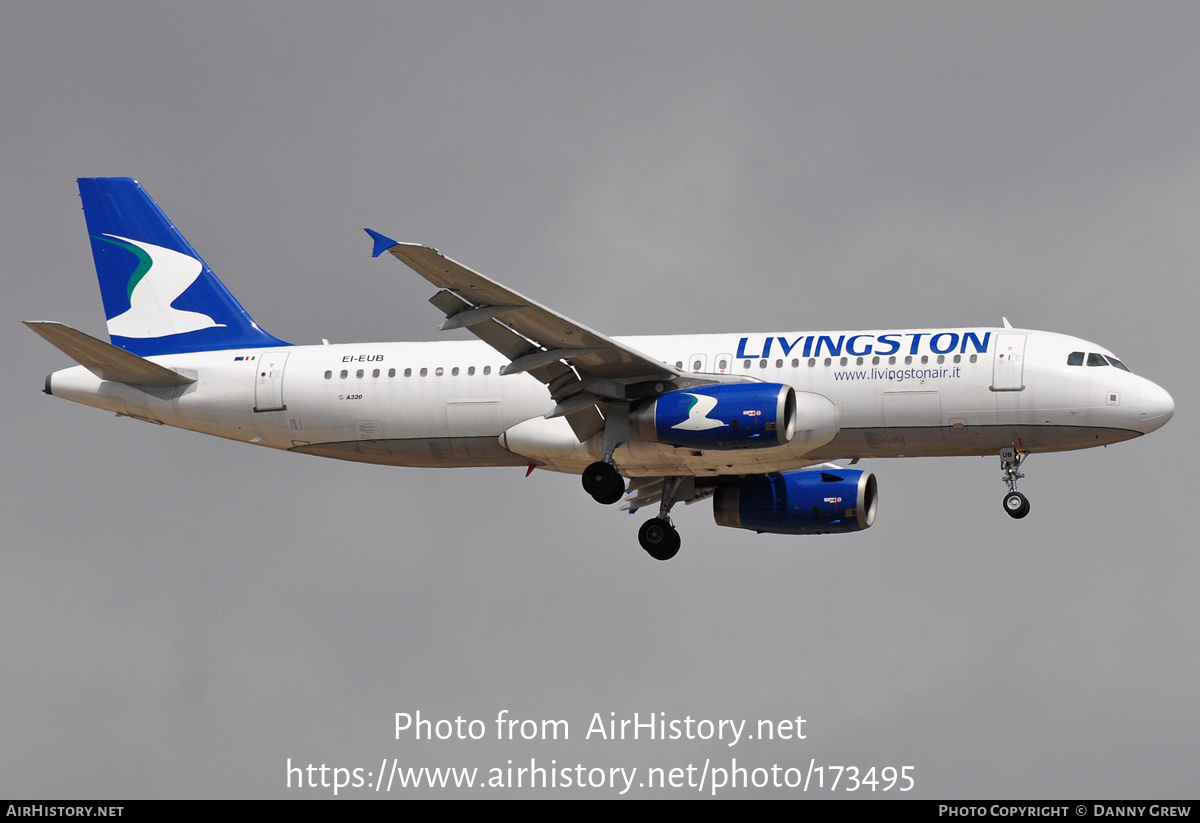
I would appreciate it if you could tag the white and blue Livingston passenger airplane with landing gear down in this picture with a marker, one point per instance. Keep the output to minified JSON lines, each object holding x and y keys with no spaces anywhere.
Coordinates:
{"x":755,"y":422}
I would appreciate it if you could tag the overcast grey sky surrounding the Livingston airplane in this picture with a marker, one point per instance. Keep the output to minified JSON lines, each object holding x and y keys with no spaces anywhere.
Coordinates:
{"x":183,"y":615}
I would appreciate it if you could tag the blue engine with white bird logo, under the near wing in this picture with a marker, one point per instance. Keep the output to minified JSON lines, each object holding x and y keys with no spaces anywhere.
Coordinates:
{"x":733,"y":416}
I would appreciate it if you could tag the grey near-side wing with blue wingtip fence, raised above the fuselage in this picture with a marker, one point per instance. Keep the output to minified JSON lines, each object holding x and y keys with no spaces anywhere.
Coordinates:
{"x":580,"y":368}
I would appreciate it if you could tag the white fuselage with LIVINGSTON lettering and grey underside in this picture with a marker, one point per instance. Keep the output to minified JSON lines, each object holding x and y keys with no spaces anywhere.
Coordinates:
{"x":891,"y":394}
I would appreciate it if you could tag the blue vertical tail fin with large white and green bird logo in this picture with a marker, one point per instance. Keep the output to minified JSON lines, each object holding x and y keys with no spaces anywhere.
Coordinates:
{"x":160,"y":297}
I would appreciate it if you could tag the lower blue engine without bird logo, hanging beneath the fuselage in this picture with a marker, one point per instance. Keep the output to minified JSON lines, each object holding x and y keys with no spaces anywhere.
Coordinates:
{"x":813,"y":502}
